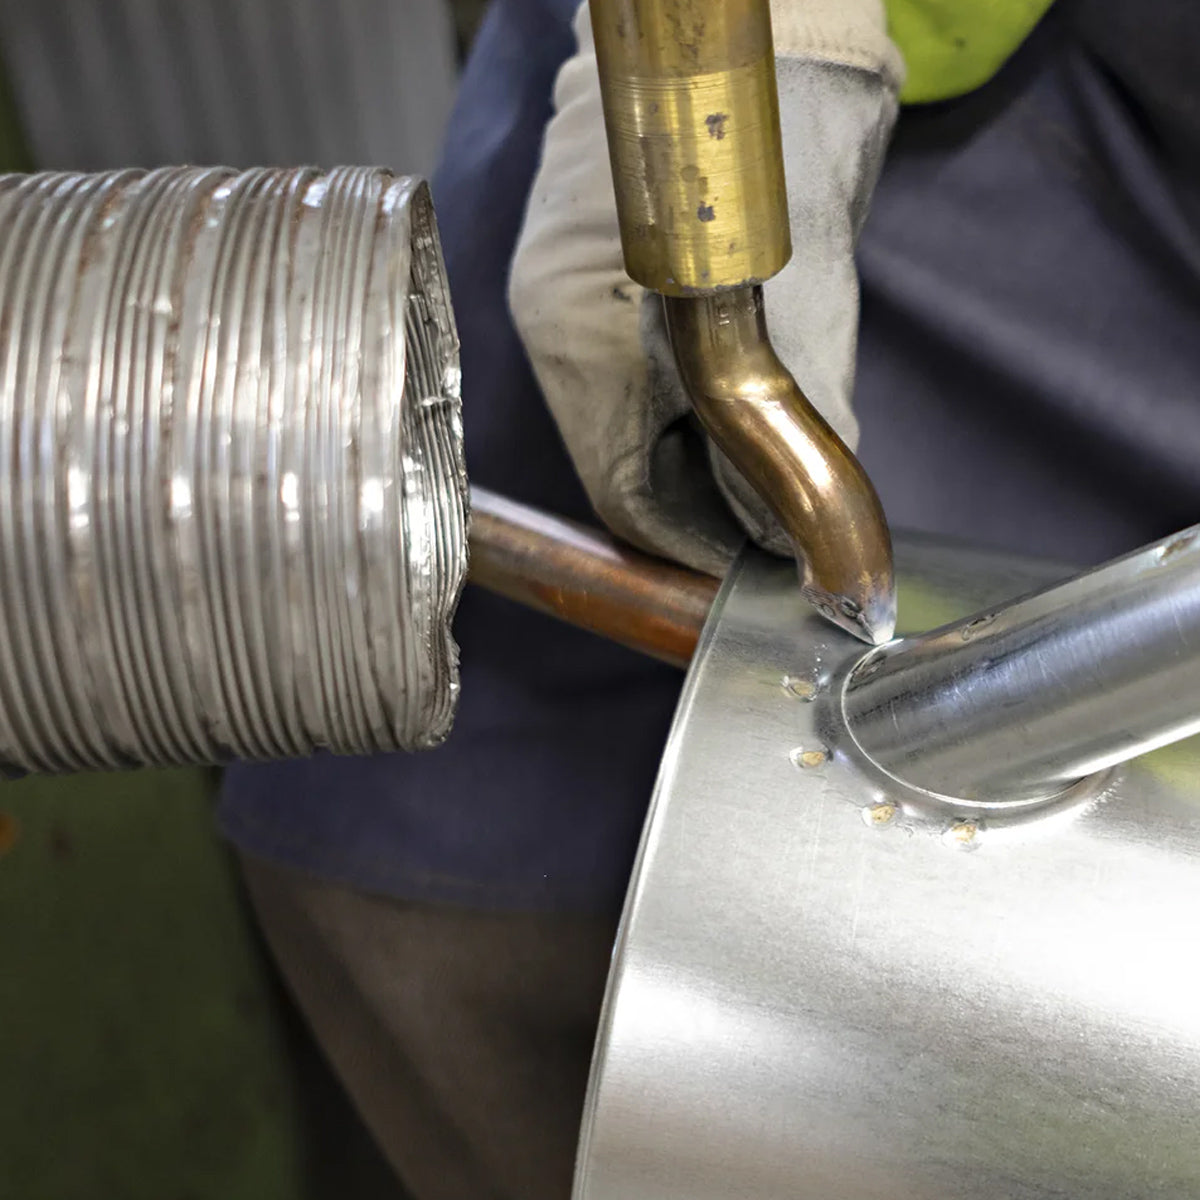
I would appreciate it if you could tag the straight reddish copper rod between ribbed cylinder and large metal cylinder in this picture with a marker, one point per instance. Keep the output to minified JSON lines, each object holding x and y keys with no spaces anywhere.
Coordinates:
{"x":587,"y":579}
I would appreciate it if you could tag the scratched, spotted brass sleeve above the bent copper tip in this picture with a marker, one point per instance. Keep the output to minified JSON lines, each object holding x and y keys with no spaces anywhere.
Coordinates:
{"x":693,"y":119}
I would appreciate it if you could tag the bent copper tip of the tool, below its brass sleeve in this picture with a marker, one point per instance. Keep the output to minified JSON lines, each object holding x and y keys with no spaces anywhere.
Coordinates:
{"x":757,"y":413}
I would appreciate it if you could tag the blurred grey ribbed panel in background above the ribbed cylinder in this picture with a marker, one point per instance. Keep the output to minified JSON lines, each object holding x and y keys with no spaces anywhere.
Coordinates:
{"x":104,"y":83}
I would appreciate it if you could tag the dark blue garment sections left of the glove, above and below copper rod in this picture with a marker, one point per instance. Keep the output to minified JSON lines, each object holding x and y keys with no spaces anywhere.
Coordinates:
{"x":537,"y":800}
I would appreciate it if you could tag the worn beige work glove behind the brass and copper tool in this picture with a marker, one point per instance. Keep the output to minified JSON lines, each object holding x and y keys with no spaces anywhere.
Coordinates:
{"x":597,"y":340}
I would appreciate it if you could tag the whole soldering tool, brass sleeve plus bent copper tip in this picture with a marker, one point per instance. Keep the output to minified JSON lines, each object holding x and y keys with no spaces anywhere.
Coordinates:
{"x":692,"y":113}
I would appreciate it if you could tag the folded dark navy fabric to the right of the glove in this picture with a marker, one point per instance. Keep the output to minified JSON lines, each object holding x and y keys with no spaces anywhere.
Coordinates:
{"x":1030,"y":363}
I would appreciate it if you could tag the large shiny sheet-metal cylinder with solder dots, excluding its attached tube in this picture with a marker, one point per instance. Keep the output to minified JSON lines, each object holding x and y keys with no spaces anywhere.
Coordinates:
{"x":829,"y":985}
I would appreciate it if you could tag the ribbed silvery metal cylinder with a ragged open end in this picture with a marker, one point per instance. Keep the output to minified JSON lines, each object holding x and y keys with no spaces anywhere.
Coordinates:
{"x":233,"y":500}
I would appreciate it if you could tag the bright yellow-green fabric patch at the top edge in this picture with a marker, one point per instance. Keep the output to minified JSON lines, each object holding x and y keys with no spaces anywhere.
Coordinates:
{"x":952,"y":47}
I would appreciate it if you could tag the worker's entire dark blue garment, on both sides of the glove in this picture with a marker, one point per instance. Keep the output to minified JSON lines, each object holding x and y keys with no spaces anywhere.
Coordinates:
{"x":1029,"y":379}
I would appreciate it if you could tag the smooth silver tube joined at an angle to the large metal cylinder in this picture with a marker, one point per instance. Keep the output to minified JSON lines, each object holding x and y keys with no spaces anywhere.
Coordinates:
{"x":1021,"y":703}
